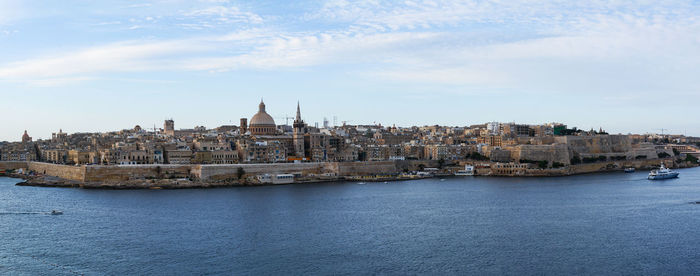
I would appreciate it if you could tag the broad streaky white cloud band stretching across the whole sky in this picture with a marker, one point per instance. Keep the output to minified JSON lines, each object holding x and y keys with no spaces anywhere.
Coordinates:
{"x":589,"y":45}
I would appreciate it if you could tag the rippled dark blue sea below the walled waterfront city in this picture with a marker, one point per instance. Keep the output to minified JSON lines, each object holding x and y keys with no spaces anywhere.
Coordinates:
{"x":595,"y":224}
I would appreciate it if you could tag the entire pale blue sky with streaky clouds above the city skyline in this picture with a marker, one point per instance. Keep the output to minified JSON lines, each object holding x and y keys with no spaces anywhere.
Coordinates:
{"x":85,"y":66}
